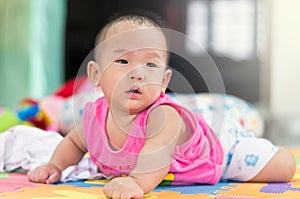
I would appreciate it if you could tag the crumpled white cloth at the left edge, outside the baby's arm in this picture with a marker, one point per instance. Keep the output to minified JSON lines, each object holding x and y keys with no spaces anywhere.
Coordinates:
{"x":26,"y":147}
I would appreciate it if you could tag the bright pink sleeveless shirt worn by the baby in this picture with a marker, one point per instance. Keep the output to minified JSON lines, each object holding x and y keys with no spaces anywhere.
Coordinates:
{"x":198,"y":160}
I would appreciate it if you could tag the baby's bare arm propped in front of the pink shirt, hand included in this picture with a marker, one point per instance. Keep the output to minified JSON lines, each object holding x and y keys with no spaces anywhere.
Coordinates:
{"x":164,"y":126}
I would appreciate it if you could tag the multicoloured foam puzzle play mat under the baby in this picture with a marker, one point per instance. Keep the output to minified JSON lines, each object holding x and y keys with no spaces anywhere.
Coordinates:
{"x":16,"y":186}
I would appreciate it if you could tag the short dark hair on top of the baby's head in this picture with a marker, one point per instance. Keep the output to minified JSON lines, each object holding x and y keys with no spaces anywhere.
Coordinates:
{"x":138,"y":16}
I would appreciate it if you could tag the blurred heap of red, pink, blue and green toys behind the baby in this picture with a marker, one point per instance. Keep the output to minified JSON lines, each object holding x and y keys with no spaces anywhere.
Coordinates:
{"x":45,"y":113}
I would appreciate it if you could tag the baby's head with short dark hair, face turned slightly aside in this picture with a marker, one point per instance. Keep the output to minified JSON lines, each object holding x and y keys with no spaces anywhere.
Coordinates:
{"x":131,"y":57}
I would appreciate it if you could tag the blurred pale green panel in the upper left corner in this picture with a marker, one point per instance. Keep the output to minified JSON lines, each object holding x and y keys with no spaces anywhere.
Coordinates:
{"x":32,"y":35}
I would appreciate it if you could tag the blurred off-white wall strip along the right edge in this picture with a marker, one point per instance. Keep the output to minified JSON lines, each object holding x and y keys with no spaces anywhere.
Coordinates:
{"x":285,"y":58}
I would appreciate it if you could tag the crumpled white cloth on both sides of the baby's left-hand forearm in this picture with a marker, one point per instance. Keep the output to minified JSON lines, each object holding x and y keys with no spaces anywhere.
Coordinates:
{"x":25,"y":148}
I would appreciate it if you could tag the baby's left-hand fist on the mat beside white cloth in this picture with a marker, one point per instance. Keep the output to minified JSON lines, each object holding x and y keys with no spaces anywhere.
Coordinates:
{"x":45,"y":174}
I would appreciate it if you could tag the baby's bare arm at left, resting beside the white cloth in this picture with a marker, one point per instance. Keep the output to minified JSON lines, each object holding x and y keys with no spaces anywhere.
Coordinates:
{"x":69,"y":152}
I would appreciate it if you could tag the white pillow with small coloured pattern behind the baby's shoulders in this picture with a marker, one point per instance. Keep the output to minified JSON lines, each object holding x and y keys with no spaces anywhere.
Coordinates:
{"x":208,"y":104}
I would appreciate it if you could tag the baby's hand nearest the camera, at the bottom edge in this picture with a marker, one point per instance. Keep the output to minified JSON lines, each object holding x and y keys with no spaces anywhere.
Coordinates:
{"x":123,"y":187}
